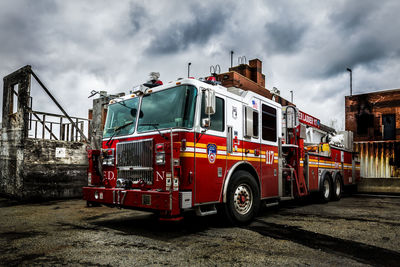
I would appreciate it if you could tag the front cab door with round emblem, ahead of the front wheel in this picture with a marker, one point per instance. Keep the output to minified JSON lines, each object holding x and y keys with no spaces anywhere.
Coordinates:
{"x":210,"y":154}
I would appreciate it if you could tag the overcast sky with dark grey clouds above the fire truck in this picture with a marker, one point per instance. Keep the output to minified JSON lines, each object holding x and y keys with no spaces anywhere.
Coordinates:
{"x":305,"y":46}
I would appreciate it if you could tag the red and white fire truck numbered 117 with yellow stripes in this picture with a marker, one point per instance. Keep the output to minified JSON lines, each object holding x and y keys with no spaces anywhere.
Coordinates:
{"x":195,"y":145}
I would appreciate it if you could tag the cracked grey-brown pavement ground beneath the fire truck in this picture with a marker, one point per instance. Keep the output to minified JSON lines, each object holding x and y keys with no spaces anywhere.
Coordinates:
{"x":356,"y":231}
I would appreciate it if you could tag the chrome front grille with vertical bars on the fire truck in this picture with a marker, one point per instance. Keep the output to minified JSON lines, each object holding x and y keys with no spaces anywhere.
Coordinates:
{"x":135,"y":160}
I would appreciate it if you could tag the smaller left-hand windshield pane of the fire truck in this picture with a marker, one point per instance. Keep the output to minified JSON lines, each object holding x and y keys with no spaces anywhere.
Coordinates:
{"x":121,"y":118}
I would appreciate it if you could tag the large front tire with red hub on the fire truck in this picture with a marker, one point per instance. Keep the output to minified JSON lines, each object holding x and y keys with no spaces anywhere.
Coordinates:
{"x":243,"y":198}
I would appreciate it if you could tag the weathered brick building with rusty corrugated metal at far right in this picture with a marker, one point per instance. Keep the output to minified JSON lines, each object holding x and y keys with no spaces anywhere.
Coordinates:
{"x":375,"y":120}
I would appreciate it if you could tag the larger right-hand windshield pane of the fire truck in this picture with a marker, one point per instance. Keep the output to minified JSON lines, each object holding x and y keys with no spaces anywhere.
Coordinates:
{"x":168,"y":108}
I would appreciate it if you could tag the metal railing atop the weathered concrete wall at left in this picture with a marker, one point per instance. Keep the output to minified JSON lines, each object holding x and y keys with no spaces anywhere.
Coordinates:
{"x":44,"y":125}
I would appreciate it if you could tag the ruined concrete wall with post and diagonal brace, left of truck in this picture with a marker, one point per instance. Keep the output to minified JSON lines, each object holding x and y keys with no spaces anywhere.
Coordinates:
{"x":42,"y":155}
